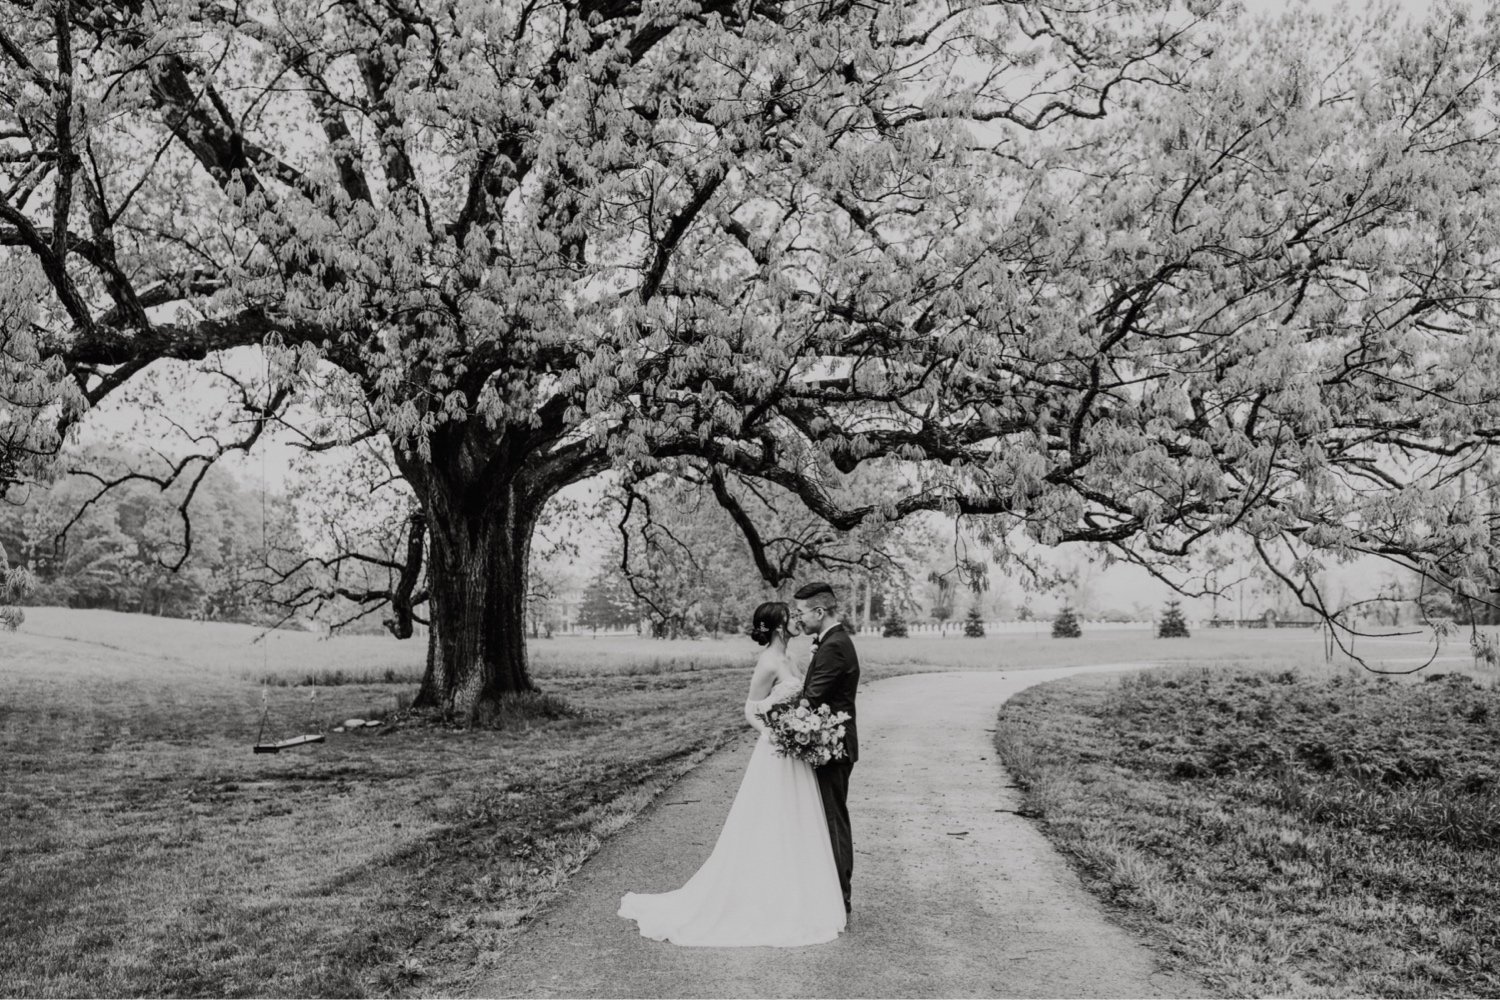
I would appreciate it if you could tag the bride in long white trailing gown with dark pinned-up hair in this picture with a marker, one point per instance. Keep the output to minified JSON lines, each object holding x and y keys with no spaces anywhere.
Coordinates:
{"x":770,"y":879}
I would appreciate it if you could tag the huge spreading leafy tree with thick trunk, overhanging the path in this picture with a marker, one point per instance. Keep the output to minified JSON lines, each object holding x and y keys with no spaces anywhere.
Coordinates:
{"x":526,"y":241}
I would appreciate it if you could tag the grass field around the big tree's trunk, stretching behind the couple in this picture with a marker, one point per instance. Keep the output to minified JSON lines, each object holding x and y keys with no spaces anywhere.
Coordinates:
{"x":145,"y":849}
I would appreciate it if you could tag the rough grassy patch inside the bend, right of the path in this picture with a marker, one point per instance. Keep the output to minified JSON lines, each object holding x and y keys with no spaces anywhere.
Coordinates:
{"x":1310,"y":833}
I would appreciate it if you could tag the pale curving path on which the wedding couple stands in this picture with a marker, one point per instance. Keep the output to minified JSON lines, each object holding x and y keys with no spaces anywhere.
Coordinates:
{"x":955,"y":894}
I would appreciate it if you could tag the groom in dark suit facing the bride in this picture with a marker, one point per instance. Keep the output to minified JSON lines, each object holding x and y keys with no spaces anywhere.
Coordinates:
{"x":832,"y":680}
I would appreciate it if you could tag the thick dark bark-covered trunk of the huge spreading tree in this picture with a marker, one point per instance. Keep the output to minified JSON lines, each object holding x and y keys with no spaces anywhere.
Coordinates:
{"x":479,"y":549}
